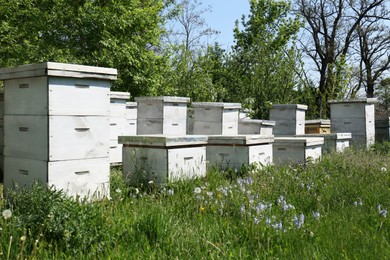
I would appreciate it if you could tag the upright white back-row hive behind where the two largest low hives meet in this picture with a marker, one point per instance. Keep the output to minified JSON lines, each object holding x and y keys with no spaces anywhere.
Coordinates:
{"x":215,"y":118}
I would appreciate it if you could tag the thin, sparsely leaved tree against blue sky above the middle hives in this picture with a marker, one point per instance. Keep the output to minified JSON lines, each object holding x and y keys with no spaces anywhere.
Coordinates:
{"x":188,"y":53}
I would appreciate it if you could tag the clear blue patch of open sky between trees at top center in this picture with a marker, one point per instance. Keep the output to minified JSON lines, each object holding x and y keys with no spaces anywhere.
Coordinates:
{"x":222,"y":18}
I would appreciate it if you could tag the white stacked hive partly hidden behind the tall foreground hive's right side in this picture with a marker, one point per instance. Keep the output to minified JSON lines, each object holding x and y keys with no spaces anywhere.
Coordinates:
{"x":118,"y":124}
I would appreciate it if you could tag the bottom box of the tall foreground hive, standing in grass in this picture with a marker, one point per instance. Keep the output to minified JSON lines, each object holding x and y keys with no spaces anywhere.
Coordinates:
{"x":74,"y":177}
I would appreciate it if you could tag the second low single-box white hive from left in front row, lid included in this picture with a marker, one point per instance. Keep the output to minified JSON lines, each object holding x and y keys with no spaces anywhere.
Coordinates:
{"x":234,"y":151}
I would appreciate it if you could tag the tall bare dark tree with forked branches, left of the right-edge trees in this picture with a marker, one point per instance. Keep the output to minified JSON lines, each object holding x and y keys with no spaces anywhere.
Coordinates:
{"x":331,"y":27}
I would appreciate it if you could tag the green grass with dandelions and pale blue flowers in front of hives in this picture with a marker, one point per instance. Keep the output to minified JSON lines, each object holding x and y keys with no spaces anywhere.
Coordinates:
{"x":333,"y":209}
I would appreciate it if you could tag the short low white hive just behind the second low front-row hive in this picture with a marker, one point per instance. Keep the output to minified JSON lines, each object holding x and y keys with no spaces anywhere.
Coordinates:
{"x":255,"y":127}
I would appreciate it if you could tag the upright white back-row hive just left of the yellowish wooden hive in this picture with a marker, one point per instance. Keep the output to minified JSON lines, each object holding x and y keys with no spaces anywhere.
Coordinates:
{"x":289,"y":119}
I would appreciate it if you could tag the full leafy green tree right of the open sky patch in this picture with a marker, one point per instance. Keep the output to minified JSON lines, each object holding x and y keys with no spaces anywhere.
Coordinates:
{"x":264,"y":58}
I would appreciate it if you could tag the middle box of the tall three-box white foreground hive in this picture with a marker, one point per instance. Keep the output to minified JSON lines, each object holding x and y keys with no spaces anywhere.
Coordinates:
{"x":56,"y":138}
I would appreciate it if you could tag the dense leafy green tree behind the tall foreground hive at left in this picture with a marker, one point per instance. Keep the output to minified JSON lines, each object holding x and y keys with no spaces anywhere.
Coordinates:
{"x":123,"y":34}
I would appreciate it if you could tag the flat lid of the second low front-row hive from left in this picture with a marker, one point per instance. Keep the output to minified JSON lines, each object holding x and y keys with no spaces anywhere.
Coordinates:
{"x":239,"y":139}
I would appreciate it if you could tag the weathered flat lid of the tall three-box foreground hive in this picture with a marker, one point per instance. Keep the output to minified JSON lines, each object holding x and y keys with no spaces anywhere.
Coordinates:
{"x":58,"y":70}
